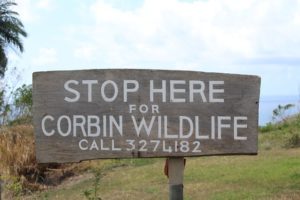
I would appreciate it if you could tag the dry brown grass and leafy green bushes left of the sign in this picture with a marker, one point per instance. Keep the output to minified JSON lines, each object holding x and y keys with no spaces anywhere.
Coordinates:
{"x":19,"y":169}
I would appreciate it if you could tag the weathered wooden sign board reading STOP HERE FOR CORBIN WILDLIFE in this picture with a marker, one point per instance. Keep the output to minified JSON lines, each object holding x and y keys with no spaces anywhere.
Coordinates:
{"x":92,"y":114}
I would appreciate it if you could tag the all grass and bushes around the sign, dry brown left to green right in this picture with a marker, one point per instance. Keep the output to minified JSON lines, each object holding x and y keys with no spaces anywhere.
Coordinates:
{"x":273,"y":174}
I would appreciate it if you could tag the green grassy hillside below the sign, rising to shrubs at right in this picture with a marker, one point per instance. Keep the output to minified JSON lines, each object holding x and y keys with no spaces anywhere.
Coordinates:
{"x":273,"y":174}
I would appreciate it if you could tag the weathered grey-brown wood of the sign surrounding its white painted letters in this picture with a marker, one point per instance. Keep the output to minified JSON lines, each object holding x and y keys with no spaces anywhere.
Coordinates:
{"x":241,"y":98}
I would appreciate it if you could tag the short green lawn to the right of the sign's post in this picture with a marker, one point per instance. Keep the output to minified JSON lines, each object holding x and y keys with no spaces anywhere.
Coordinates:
{"x":259,"y":177}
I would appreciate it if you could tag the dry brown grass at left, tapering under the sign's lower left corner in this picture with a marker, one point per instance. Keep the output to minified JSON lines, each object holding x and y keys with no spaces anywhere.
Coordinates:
{"x":18,"y":166}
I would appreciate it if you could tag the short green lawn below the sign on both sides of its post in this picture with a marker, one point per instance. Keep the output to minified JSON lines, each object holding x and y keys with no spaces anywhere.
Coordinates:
{"x":272,"y":174}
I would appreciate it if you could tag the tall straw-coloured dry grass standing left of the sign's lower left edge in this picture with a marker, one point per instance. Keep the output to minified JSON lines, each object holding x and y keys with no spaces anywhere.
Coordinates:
{"x":17,"y":159}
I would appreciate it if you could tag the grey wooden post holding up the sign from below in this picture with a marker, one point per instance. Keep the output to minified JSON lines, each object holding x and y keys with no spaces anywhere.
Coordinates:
{"x":175,"y":172}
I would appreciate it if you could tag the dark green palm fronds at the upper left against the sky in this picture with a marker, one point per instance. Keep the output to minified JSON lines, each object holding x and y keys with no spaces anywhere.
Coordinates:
{"x":11,"y":30}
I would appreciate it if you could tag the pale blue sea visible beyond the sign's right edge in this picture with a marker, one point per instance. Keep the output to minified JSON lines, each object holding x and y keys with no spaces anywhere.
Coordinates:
{"x":268,"y":103}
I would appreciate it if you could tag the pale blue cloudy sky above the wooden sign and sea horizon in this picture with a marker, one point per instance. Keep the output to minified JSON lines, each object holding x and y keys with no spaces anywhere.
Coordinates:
{"x":244,"y":37}
